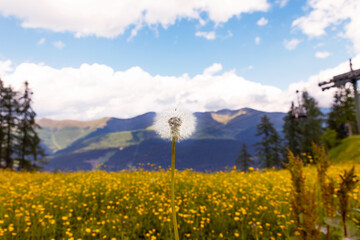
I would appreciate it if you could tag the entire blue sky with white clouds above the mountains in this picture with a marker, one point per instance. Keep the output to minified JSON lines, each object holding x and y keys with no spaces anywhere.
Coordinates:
{"x":265,"y":49}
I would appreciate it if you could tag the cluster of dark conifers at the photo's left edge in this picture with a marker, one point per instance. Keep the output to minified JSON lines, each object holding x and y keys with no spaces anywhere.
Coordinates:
{"x":20,"y":147}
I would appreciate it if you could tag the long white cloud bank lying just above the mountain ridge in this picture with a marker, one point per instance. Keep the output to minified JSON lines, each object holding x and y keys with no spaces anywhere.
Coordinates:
{"x":95,"y":91}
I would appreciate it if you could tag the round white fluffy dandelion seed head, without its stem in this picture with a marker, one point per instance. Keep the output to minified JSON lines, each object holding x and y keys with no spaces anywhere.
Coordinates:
{"x":175,"y":123}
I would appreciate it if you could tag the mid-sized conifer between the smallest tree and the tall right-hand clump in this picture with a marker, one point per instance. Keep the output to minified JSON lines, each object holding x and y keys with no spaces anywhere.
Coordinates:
{"x":269,"y":147}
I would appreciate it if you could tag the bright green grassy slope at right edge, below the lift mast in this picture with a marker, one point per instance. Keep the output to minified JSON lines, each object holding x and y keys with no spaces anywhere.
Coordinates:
{"x":348,"y":151}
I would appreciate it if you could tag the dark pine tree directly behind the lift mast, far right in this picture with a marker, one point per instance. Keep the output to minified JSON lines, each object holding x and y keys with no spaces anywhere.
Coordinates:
{"x":342,"y":117}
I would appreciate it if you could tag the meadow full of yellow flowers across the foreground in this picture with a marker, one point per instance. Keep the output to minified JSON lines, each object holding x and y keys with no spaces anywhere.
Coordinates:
{"x":136,"y":205}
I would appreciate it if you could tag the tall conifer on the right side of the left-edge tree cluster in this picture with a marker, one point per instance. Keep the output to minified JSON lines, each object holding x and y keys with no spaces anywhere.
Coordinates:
{"x":29,"y":148}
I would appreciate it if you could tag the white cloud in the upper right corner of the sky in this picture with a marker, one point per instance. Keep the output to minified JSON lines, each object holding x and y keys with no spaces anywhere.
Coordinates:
{"x":326,"y":14}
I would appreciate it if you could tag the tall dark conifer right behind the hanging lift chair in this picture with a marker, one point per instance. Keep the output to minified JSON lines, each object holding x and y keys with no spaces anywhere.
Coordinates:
{"x":311,"y":127}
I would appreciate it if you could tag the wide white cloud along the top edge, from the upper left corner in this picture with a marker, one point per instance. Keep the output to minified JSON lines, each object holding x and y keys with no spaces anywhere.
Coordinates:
{"x":112,"y":17}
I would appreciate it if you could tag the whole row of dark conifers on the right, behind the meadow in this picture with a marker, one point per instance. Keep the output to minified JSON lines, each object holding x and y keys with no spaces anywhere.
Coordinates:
{"x":298,"y":134}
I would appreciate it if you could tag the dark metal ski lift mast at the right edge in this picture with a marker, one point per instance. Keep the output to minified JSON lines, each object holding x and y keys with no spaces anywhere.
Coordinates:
{"x":341,"y":80}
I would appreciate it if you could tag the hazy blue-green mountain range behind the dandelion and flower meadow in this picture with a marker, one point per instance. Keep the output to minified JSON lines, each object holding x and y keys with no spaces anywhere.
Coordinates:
{"x":114,"y":144}
